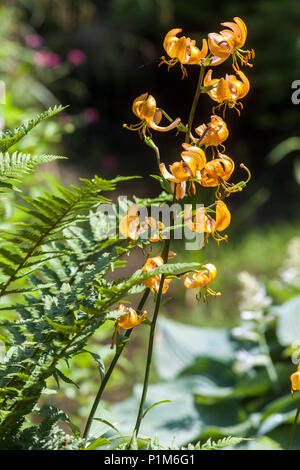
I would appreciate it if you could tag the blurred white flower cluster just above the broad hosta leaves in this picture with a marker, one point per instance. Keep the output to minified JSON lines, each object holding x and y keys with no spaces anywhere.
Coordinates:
{"x":253,"y":297}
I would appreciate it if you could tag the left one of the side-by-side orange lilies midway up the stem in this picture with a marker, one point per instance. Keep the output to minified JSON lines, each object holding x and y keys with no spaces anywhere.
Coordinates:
{"x":194,"y":160}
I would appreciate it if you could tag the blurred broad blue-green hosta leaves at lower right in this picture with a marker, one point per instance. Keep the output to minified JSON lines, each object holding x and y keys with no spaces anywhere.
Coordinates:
{"x":211,"y":395}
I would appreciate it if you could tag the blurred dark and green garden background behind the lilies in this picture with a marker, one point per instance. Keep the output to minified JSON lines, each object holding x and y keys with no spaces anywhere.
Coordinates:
{"x":97,"y":57}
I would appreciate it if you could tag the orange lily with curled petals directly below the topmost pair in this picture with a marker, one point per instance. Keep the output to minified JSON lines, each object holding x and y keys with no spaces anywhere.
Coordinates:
{"x":228,"y":90}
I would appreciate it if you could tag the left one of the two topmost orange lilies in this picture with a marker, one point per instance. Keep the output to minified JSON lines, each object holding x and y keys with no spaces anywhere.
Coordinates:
{"x":182,"y":50}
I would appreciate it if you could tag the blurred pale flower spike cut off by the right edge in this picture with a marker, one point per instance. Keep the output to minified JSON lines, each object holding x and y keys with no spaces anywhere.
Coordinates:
{"x":290,"y":272}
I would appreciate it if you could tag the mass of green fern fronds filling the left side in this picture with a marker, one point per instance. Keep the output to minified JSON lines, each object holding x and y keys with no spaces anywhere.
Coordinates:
{"x":52,"y":280}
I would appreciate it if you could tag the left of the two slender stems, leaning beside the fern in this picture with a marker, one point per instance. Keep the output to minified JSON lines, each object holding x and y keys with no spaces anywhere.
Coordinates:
{"x":119,"y":350}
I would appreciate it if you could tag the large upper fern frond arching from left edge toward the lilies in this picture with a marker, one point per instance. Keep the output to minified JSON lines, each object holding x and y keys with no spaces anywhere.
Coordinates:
{"x":52,"y":215}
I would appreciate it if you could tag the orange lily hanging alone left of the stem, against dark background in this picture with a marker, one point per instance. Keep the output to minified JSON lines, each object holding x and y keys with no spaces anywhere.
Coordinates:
{"x":144,"y":107}
